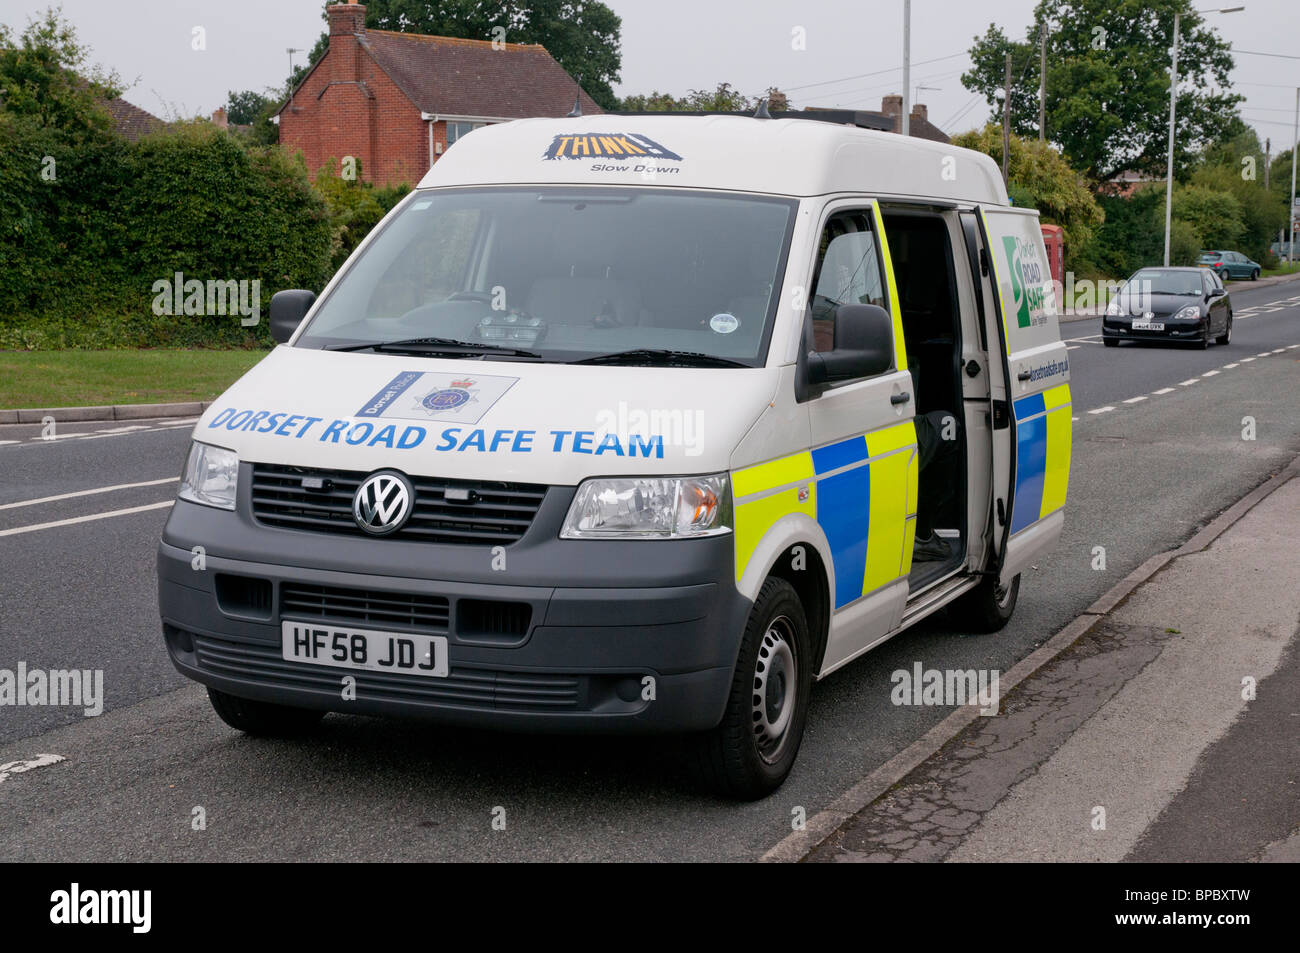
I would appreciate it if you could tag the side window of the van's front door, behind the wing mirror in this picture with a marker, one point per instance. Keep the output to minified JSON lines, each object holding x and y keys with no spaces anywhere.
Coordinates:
{"x":848,"y":272}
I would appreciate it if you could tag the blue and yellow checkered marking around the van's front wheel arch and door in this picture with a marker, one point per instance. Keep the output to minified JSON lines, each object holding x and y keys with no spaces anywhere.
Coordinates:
{"x":863,"y":492}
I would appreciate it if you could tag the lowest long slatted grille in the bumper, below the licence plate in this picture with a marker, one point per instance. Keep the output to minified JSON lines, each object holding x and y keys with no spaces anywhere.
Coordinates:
{"x":463,"y":688}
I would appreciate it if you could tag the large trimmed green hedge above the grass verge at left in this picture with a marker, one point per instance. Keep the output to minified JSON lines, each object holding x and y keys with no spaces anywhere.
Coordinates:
{"x":80,"y":253}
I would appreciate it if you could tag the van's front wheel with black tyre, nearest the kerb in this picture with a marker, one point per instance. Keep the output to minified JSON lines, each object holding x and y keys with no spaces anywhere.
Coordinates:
{"x":753,"y":750}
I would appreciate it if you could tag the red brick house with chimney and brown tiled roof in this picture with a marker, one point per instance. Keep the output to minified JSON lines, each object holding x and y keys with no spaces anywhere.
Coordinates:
{"x":397,"y":102}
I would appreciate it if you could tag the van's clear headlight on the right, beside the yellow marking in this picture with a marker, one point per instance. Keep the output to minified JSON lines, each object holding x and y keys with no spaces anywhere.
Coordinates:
{"x":651,"y":509}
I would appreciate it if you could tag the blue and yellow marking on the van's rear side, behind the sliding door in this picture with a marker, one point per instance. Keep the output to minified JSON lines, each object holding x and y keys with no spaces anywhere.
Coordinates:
{"x":1043,"y":427}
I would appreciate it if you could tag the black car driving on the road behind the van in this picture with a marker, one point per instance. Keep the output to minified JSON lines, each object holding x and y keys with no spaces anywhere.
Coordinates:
{"x":1169,"y":305}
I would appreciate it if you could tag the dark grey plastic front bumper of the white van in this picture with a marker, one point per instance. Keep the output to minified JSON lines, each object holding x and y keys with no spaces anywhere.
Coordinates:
{"x":588,"y":622}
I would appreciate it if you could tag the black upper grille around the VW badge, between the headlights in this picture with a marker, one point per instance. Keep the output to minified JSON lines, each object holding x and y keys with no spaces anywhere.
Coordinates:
{"x":491,"y":514}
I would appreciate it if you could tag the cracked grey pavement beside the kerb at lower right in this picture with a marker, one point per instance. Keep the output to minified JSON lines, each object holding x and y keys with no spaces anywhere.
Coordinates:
{"x":1165,"y":733}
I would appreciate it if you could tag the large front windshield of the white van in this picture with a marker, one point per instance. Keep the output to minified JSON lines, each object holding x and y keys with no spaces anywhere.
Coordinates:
{"x":567,"y":275}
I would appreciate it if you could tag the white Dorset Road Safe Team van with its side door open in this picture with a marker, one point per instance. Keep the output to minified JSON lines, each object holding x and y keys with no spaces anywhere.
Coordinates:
{"x":631,"y":424}
